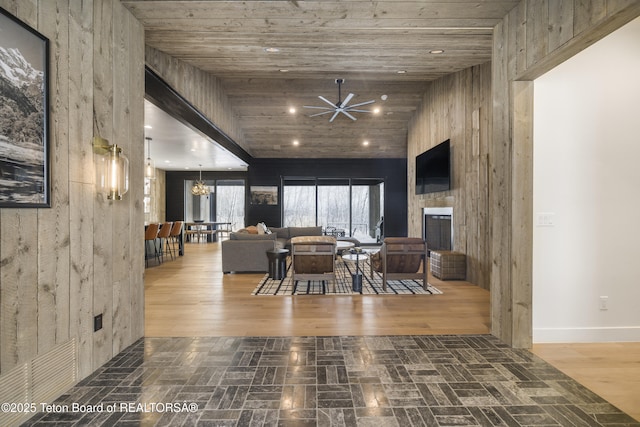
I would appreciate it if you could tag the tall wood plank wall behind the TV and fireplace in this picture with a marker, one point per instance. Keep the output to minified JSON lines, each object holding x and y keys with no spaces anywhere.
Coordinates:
{"x":457,"y":107}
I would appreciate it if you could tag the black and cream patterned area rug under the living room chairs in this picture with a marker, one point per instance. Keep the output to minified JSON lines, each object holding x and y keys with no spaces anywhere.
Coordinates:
{"x":344,"y":270}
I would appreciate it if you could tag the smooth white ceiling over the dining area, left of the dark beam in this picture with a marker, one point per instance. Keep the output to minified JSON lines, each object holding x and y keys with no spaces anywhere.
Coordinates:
{"x":175,"y":146}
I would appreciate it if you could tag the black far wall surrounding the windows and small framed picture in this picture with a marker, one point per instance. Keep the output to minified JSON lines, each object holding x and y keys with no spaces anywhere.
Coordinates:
{"x":270,"y":171}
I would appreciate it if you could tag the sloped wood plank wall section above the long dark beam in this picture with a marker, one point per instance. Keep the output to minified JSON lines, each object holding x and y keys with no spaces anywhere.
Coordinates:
{"x":203,"y":90}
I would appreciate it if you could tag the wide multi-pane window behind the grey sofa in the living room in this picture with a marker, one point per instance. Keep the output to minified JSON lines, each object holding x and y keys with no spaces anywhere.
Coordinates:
{"x":343,"y":207}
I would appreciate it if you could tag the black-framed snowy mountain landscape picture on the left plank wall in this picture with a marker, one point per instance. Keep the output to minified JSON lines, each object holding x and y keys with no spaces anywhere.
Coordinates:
{"x":24,"y":109}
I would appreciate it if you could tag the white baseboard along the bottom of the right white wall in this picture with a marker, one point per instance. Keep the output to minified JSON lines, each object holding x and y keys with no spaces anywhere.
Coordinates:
{"x":576,"y":335}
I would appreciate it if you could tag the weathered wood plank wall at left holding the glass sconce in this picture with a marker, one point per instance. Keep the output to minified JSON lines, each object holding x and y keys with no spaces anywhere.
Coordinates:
{"x":84,"y":256}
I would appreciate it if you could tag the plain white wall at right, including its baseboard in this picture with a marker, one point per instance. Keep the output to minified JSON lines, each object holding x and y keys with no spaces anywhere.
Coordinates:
{"x":587,"y":176}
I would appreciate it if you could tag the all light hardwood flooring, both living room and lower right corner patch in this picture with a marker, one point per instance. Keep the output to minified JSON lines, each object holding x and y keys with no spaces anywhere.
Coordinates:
{"x":190,"y":296}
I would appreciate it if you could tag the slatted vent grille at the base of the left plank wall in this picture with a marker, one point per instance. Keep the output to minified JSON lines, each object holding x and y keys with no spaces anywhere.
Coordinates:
{"x":40,"y":380}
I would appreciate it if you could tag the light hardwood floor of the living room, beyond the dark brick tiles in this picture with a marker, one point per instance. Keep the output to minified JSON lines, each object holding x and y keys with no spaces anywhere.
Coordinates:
{"x":191,"y":297}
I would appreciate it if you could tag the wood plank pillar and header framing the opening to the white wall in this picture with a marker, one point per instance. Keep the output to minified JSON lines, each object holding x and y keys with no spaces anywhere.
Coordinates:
{"x":533,"y":38}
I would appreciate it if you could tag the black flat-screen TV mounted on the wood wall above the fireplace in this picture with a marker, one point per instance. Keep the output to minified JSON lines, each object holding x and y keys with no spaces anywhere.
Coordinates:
{"x":433,"y":169}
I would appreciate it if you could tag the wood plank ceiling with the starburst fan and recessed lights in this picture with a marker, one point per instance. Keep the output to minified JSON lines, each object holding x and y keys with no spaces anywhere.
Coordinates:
{"x":378,"y":48}
